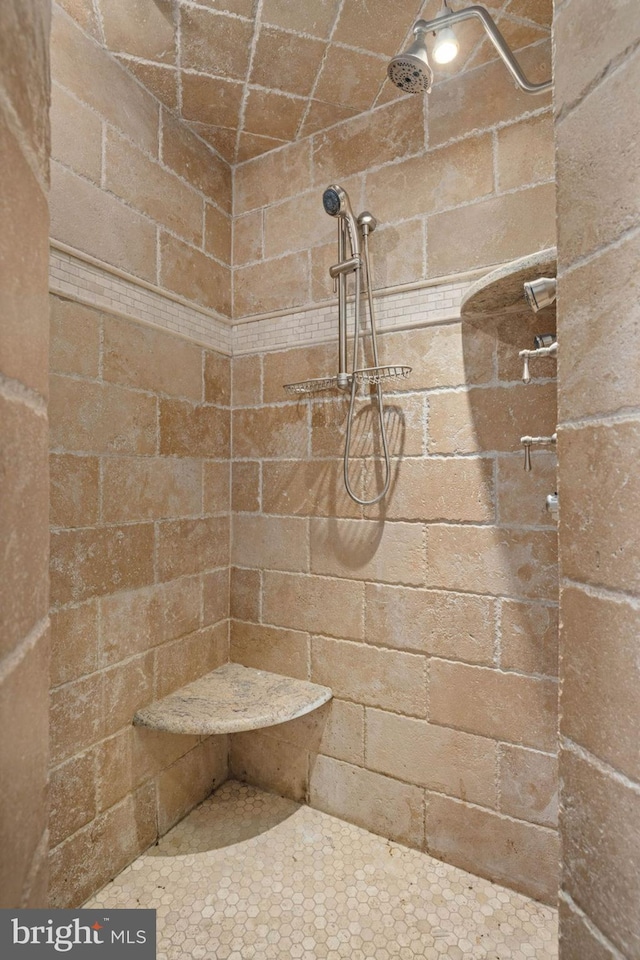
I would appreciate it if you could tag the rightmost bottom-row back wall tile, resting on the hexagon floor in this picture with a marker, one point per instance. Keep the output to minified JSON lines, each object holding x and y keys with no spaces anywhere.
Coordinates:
{"x":522,"y":855}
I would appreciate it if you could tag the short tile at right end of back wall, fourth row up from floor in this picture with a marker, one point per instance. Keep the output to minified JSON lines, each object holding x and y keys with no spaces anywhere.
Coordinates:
{"x":529,"y":637}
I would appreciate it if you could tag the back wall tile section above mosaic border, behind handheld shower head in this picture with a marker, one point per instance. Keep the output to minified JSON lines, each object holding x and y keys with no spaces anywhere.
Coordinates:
{"x":459,"y":180}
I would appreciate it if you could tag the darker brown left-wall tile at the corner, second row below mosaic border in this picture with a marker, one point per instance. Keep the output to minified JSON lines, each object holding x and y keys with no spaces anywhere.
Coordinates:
{"x":193,"y":431}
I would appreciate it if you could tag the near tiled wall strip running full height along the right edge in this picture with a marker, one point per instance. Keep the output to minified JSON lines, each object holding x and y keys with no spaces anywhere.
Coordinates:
{"x":598,"y":169}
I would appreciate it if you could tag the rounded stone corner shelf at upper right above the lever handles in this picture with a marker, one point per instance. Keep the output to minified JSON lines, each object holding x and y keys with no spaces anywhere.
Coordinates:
{"x":501,"y":291}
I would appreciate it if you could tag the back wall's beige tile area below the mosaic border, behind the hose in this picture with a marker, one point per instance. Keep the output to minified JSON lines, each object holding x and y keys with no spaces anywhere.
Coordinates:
{"x":433,"y":617}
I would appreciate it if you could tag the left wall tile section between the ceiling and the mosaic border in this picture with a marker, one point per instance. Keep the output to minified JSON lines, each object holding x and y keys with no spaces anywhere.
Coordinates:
{"x":130,"y":184}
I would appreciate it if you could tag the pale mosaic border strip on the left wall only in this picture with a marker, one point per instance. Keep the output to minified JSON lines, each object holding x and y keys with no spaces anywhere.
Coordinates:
{"x":73,"y":275}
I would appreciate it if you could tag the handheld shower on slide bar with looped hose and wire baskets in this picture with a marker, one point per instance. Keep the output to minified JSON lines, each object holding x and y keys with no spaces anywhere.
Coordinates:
{"x":336,"y":203}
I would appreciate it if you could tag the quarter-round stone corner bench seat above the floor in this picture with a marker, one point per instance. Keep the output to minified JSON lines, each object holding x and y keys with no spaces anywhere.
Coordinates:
{"x":230,"y":699}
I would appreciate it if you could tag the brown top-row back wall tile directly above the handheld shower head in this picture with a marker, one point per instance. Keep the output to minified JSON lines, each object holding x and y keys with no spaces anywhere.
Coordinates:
{"x":386,"y":134}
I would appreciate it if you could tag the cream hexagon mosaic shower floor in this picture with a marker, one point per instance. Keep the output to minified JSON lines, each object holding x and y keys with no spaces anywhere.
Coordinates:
{"x":251,"y":875}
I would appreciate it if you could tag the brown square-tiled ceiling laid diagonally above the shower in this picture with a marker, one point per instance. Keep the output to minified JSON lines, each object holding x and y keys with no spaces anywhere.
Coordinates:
{"x":251,"y":75}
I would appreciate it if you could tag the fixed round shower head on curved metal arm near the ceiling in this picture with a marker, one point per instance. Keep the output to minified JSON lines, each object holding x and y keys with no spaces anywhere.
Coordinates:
{"x":411,"y":71}
